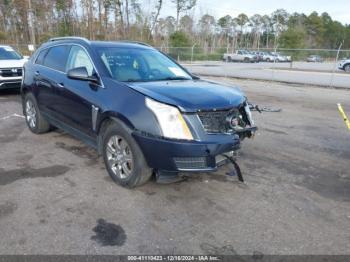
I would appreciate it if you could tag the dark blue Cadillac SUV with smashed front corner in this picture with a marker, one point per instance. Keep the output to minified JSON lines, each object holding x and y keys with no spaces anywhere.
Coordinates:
{"x":143,"y":112}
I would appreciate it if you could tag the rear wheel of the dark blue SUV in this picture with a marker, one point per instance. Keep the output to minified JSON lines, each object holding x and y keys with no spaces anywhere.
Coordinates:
{"x":34,"y":119}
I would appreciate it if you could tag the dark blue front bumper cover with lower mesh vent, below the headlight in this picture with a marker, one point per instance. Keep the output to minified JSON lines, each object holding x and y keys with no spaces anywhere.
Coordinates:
{"x":185,"y":156}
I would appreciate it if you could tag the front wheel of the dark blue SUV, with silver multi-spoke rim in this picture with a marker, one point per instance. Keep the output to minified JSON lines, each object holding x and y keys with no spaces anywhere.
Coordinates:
{"x":123,"y":157}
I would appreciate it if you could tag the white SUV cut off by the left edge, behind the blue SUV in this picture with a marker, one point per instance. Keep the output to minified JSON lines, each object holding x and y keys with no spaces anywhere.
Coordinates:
{"x":11,"y":67}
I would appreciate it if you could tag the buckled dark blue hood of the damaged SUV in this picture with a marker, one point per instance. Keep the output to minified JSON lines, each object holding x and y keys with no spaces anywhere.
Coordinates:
{"x":192,"y":95}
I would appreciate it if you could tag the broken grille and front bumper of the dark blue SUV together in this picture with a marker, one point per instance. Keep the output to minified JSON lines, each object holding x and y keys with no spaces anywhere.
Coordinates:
{"x":217,"y":135}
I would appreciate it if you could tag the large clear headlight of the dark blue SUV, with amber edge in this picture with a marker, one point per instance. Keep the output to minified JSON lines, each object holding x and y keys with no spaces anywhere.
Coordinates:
{"x":170,"y":120}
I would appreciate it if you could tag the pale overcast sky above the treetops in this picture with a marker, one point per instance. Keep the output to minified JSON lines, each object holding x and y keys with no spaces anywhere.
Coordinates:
{"x":338,"y":9}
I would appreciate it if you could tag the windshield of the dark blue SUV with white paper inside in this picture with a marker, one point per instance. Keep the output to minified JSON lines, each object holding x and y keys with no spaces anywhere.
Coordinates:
{"x":140,"y":65}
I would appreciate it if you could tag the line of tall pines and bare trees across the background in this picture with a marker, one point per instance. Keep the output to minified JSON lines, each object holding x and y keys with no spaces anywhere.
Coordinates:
{"x":28,"y":21}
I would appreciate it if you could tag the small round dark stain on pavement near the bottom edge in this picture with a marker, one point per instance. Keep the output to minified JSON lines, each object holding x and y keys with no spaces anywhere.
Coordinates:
{"x":108,"y":234}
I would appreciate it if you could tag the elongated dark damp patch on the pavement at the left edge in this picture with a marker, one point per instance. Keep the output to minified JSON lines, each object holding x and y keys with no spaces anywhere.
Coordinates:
{"x":10,"y":176}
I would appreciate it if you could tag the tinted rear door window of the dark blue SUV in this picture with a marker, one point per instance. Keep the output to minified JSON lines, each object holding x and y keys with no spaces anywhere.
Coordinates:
{"x":56,"y":57}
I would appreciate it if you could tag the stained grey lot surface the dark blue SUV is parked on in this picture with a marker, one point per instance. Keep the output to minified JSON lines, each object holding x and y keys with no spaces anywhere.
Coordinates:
{"x":56,"y":197}
